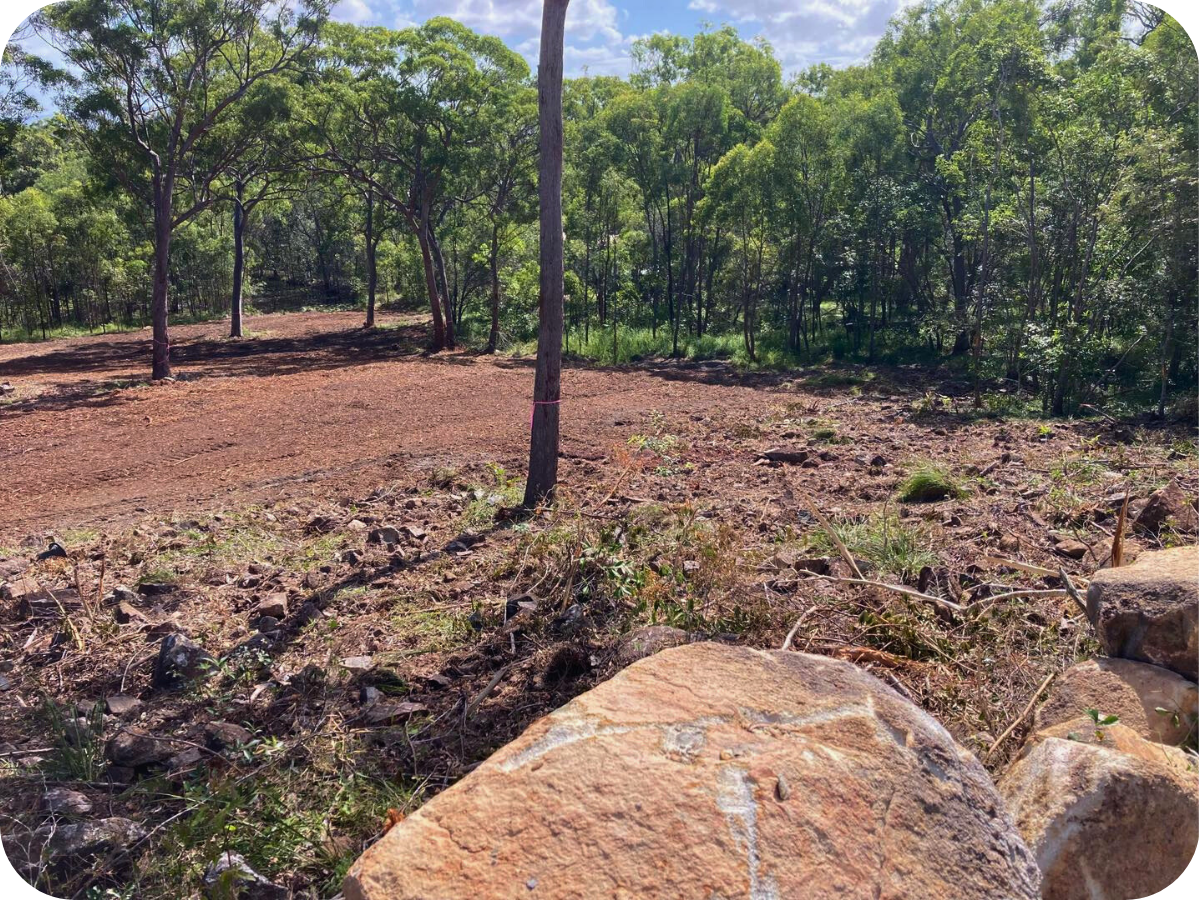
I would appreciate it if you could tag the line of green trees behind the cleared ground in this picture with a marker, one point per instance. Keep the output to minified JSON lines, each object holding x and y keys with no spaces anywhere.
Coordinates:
{"x":1005,"y":188}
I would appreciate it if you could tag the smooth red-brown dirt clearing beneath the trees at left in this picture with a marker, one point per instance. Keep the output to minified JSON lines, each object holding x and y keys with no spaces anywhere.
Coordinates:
{"x":311,"y":405}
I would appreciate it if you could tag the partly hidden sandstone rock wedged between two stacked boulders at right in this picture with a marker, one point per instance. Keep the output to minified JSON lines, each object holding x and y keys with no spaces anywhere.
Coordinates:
{"x":1132,"y":692}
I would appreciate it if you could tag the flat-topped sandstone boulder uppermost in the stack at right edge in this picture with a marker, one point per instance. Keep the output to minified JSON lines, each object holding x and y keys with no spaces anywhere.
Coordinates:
{"x":1150,"y":611}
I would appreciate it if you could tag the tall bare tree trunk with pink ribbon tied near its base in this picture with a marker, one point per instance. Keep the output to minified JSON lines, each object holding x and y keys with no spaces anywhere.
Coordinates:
{"x":544,"y":435}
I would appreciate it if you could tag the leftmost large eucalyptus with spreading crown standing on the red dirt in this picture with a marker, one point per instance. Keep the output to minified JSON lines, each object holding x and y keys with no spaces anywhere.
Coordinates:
{"x":155,"y":77}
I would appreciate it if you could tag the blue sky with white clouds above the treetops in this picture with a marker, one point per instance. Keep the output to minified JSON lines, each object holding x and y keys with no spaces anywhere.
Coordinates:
{"x":599,"y":33}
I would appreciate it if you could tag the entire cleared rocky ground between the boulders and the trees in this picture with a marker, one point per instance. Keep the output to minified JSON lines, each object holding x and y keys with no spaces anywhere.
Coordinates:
{"x":271,"y":609}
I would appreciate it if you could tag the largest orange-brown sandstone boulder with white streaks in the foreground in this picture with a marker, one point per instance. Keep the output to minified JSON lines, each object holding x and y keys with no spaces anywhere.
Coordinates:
{"x":716,"y":772}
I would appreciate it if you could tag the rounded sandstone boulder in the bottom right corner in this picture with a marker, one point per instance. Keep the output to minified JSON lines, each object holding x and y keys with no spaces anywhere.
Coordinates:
{"x":1109,"y":817}
